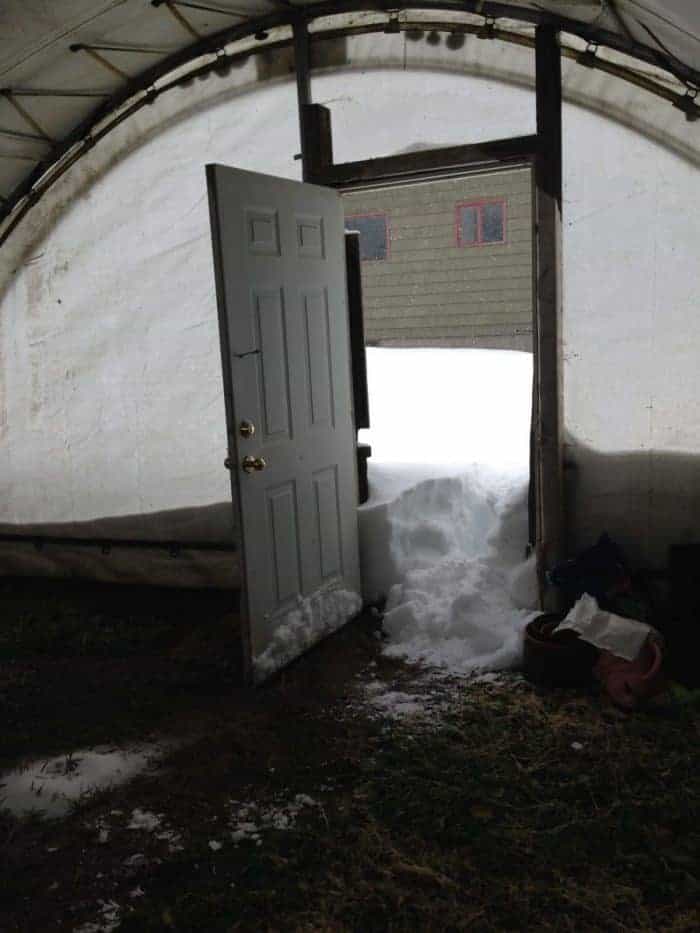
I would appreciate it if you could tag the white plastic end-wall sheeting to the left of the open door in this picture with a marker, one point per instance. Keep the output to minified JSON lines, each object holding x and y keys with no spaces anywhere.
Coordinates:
{"x":113,"y":419}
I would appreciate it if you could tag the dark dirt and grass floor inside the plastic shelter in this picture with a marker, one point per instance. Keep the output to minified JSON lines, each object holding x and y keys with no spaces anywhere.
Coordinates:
{"x":352,"y":793}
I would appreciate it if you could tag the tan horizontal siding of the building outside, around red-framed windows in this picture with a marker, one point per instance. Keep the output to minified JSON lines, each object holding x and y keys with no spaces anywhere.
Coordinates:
{"x":429,"y":291}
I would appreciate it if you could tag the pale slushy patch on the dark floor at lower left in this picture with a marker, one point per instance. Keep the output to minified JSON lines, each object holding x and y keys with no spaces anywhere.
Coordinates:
{"x":52,"y":785}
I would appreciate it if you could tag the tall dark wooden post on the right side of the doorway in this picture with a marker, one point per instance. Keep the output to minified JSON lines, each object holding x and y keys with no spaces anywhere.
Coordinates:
{"x":550,"y":539}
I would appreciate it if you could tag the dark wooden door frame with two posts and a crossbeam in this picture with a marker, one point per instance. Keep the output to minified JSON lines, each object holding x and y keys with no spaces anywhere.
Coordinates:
{"x":543,"y":152}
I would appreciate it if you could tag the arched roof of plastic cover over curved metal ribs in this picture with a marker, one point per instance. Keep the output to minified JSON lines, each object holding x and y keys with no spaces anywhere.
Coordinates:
{"x":72,"y":70}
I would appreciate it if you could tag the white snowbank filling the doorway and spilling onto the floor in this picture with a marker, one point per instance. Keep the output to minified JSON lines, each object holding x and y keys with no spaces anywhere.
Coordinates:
{"x":444,"y":540}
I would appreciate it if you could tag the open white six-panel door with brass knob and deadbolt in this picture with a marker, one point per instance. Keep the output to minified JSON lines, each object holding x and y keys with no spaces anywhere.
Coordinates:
{"x":279,"y":259}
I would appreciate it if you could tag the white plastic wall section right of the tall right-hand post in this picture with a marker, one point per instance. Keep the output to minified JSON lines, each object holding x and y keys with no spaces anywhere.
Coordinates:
{"x":631,"y":338}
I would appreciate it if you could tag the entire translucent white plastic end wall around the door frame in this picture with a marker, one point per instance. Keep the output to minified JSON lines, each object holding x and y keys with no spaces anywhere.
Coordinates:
{"x":111,"y":403}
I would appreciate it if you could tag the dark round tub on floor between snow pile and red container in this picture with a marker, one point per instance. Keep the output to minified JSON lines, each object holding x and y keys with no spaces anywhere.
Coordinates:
{"x":556,"y":660}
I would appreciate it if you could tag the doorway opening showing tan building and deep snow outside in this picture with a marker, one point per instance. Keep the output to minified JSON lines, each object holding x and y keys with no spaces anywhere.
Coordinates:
{"x":447,"y":282}
